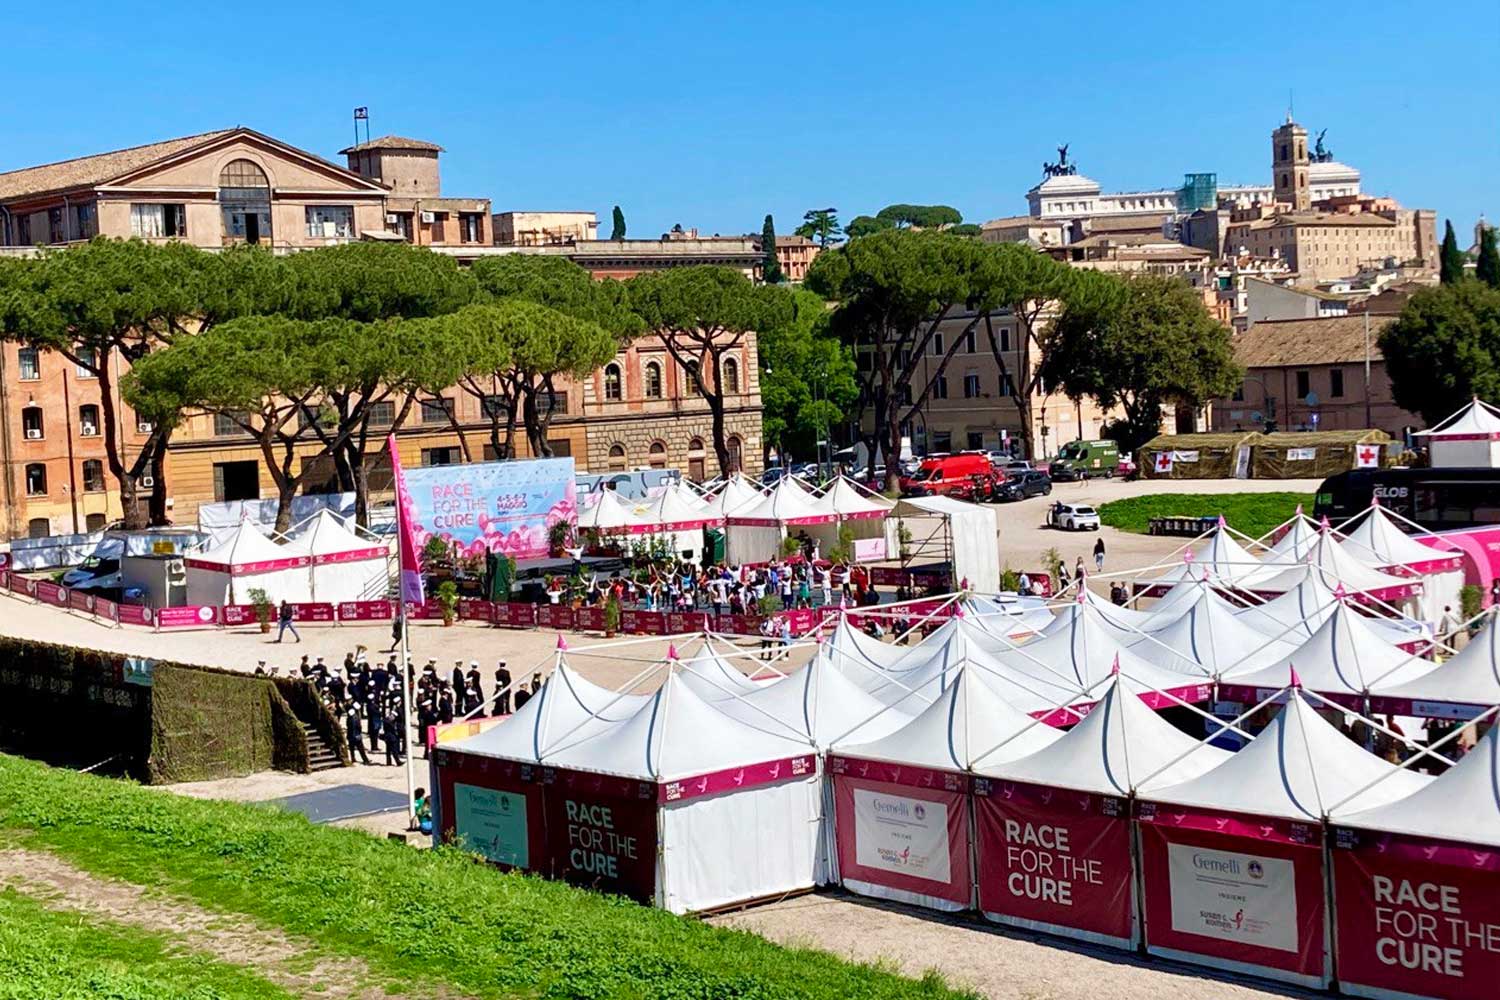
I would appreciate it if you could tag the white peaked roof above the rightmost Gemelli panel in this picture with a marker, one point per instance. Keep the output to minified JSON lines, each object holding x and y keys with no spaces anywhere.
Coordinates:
{"x":1297,"y":768}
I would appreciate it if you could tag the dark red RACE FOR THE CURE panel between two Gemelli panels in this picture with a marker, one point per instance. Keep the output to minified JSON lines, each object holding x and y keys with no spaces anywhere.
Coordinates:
{"x":1055,"y":860}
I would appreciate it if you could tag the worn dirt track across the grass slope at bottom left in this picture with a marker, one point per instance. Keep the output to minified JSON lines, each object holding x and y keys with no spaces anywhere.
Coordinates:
{"x":292,"y":965}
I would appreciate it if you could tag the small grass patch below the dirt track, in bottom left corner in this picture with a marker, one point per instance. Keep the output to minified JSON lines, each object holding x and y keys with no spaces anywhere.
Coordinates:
{"x":59,"y":956}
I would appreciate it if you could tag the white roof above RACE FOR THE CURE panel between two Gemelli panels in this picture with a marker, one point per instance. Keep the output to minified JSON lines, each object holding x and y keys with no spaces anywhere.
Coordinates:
{"x":1118,"y":744}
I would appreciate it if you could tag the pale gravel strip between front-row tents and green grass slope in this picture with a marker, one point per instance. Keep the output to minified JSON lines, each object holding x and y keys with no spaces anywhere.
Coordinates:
{"x":997,"y":963}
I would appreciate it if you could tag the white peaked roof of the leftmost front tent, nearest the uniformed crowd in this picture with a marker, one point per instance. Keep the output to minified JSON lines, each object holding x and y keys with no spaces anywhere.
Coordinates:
{"x":566,"y":711}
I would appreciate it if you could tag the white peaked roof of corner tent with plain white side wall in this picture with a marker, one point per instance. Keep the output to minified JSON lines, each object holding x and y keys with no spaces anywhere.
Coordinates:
{"x":677,"y":735}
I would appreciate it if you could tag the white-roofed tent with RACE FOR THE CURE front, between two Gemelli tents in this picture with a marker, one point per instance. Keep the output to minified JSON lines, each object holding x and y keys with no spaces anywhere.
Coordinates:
{"x":1054,"y":830}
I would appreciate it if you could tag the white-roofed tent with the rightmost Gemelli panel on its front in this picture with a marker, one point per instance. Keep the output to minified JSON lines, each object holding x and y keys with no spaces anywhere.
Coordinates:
{"x":1244,"y":840}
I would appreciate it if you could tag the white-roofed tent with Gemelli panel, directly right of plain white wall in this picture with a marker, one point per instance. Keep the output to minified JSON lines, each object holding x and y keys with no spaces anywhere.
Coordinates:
{"x":902,"y":825}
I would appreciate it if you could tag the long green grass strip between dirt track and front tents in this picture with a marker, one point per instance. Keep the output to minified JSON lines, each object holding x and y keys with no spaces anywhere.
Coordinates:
{"x":416,"y":917}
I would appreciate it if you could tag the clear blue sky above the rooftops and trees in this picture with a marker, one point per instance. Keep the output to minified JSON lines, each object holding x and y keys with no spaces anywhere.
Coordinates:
{"x":713,"y":115}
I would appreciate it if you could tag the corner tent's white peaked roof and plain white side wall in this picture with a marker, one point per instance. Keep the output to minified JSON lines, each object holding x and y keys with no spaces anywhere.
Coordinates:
{"x":736,"y":807}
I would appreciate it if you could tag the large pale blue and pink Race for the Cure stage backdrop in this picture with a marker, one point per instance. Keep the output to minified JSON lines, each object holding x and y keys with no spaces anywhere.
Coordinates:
{"x":493,"y":506}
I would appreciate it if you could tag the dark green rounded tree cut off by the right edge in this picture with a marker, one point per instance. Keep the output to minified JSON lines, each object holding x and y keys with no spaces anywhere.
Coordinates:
{"x":1445,"y":349}
